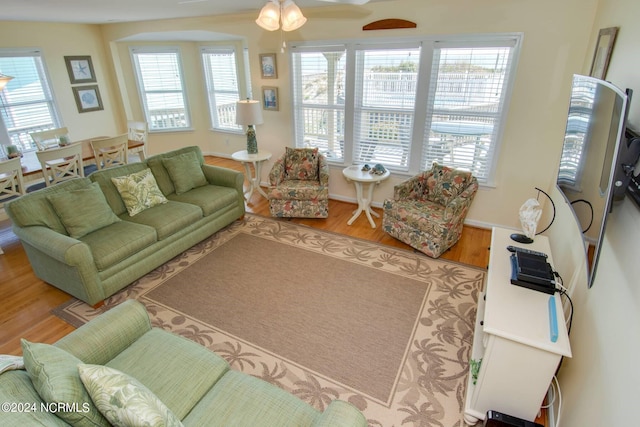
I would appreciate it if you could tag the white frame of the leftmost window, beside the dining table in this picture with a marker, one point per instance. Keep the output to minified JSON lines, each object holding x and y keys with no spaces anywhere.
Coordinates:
{"x":21,"y":136}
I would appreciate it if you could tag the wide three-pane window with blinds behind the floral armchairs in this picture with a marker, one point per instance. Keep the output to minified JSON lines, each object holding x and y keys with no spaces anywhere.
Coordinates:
{"x":404,"y":103}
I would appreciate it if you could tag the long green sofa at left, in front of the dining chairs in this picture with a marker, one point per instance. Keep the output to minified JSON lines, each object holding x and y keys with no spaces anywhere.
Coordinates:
{"x":93,"y":249}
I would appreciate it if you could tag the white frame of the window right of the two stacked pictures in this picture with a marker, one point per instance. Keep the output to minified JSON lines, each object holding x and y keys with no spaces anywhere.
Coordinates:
{"x":134,"y":51}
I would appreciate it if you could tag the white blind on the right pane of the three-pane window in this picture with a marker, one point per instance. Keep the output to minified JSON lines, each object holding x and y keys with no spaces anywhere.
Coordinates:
{"x":465,"y":107}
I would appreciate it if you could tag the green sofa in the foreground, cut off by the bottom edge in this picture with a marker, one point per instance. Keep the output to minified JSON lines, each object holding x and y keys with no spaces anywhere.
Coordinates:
{"x":195,"y":384}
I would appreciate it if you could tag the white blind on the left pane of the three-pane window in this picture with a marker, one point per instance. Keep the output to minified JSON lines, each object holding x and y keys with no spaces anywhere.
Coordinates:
{"x":319,"y":100}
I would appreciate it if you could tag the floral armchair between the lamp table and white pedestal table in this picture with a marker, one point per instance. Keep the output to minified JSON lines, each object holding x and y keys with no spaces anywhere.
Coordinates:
{"x":299,"y":184}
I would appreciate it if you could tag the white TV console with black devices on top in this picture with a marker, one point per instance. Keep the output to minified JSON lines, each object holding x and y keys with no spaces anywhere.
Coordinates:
{"x":512,"y":337}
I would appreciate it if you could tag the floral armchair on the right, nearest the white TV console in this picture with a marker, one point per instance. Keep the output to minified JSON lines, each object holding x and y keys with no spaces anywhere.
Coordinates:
{"x":428,"y":210}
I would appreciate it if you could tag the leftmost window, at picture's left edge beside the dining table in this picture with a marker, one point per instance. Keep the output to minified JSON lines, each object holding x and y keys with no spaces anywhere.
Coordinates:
{"x":26,"y":103}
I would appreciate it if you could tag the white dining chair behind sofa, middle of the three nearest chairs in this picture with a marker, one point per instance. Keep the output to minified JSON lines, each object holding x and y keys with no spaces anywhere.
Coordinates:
{"x":61,"y":164}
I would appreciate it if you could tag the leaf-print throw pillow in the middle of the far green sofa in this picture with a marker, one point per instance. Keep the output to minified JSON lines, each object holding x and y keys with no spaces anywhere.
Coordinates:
{"x":139,"y":191}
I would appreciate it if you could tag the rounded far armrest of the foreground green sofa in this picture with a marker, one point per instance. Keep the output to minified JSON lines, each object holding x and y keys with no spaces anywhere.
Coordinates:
{"x":106,"y":336}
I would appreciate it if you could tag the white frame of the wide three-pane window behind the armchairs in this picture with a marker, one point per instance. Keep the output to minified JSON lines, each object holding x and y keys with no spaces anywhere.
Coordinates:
{"x":421,"y":125}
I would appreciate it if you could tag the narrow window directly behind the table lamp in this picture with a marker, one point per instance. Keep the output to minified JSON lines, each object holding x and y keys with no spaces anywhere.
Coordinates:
{"x":221,"y":75}
